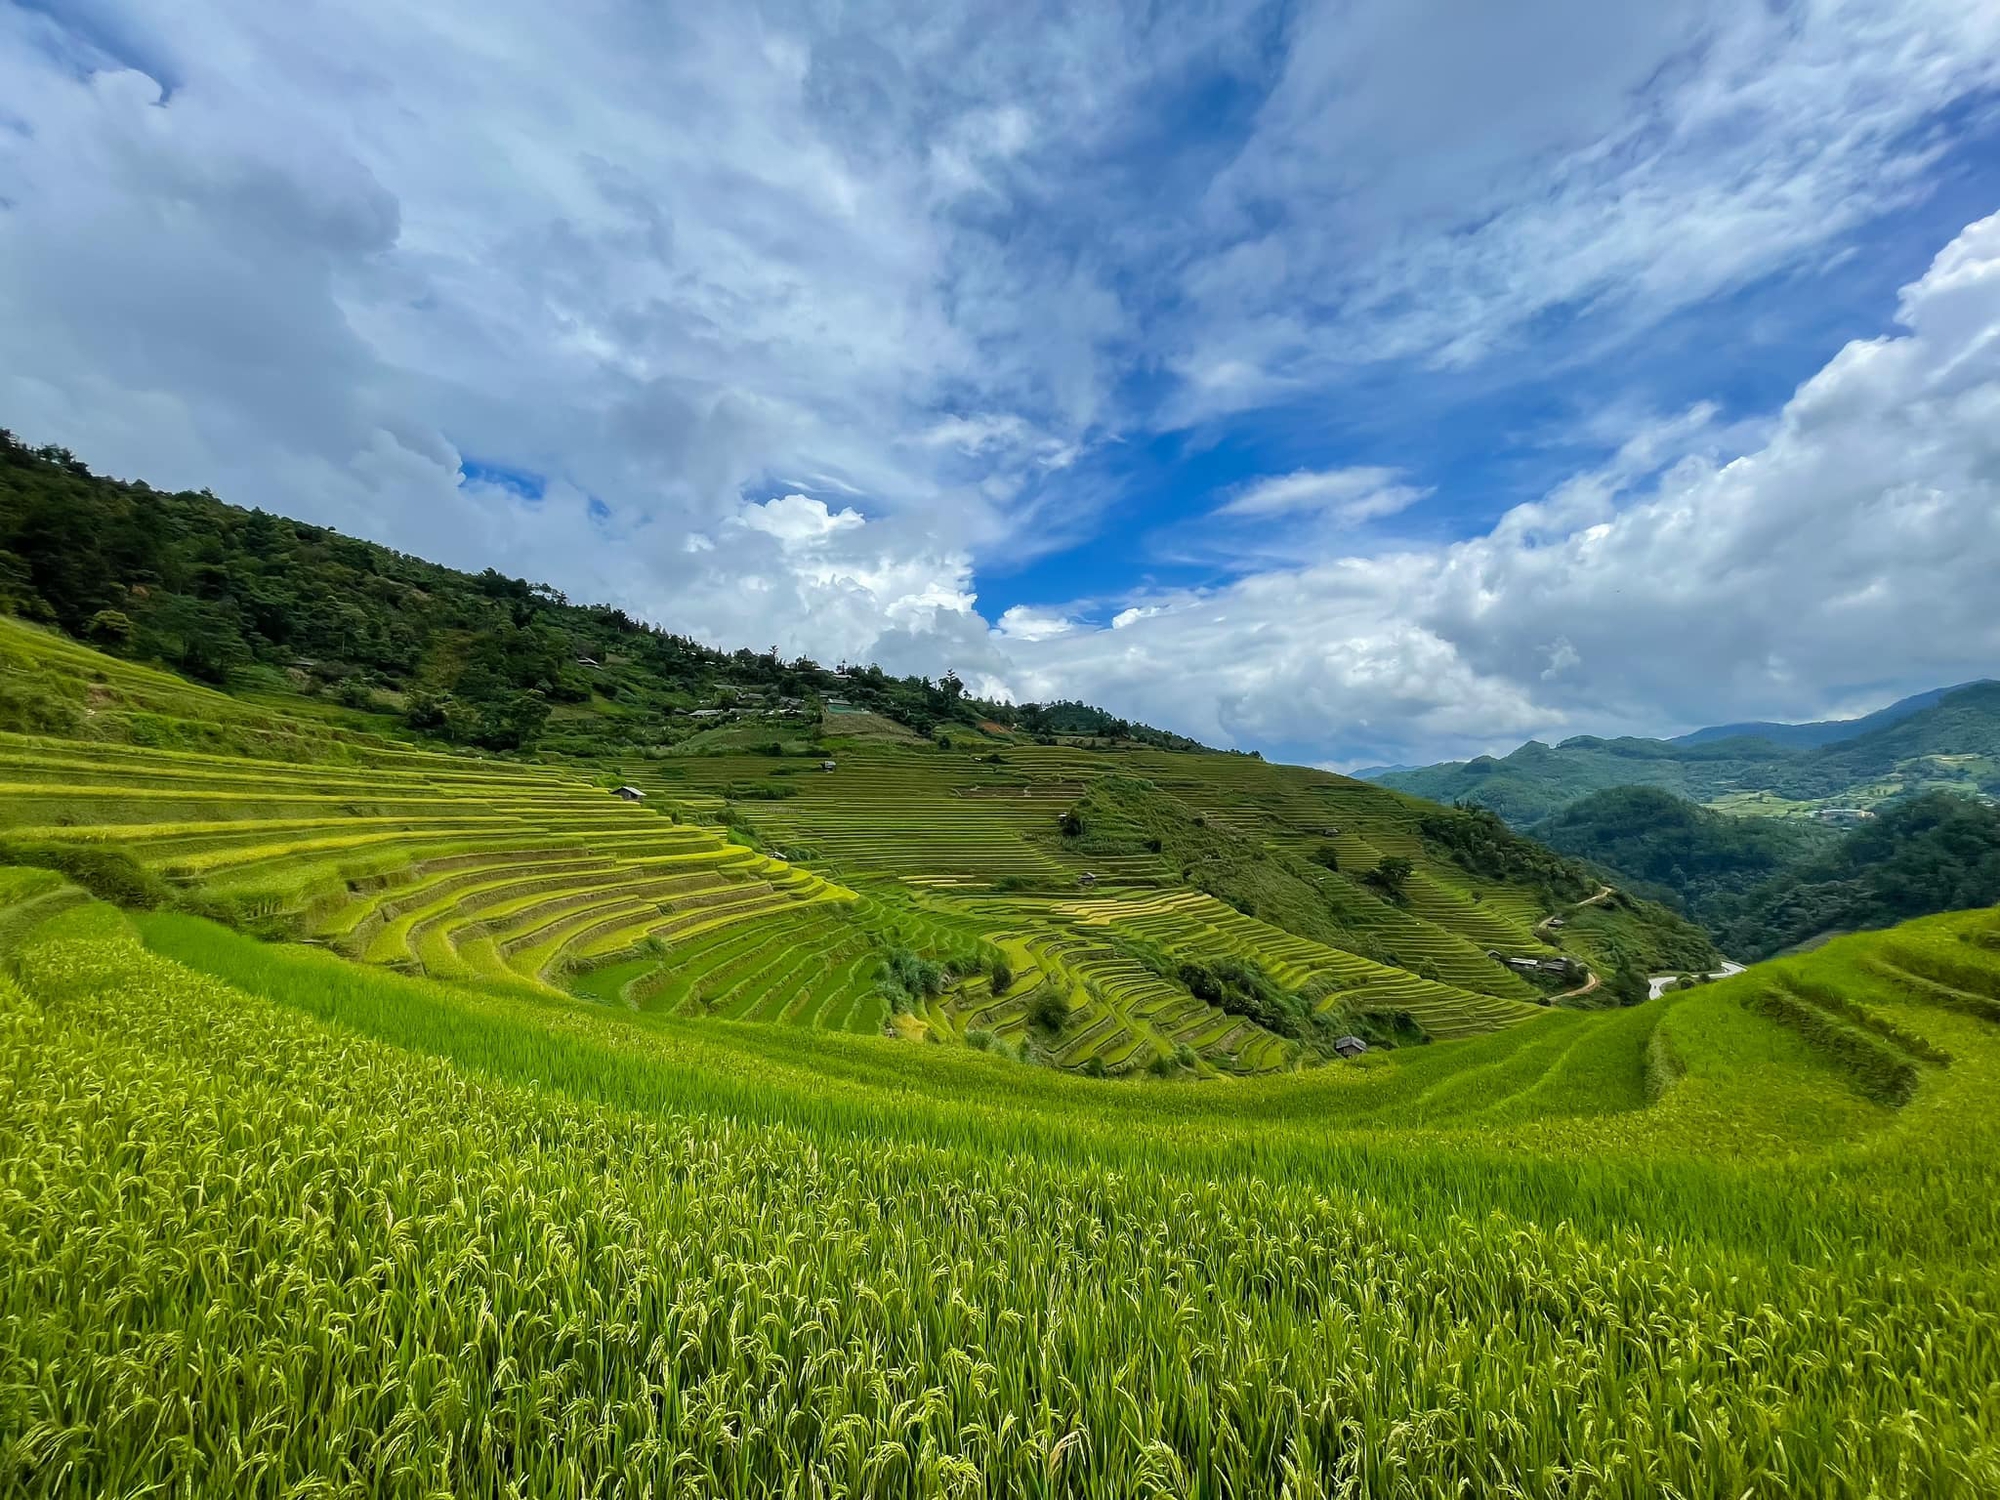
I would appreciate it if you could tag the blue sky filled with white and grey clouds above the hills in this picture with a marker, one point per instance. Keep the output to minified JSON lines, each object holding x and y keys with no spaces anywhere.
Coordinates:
{"x":1375,"y":381}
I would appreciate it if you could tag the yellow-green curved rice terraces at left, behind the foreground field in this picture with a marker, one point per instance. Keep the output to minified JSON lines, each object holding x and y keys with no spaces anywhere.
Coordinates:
{"x":429,"y":863}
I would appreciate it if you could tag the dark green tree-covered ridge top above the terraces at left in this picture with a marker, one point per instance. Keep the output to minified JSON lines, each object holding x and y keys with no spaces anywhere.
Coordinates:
{"x":251,"y":601}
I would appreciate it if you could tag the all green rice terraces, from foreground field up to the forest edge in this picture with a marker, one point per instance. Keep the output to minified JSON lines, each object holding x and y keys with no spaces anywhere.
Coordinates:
{"x":975,"y":1113}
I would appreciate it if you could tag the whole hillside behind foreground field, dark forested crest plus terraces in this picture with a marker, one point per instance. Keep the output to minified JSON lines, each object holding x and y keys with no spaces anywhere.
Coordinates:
{"x":923,"y":887}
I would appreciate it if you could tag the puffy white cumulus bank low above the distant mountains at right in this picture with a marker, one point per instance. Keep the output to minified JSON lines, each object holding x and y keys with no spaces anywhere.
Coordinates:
{"x":1851,"y":555}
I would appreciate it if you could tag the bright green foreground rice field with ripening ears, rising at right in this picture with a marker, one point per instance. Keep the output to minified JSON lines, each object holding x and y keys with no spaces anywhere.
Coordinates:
{"x":269,"y":1217}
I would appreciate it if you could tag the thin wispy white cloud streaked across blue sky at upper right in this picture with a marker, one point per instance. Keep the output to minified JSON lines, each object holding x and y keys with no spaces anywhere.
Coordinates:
{"x":1617,"y":163}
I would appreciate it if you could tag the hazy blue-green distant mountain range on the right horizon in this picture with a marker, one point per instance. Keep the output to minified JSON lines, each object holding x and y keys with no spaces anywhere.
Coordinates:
{"x":1953,"y":743}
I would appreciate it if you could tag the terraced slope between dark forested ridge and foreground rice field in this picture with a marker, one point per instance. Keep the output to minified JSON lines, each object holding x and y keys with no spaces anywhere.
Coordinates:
{"x":875,"y":883}
